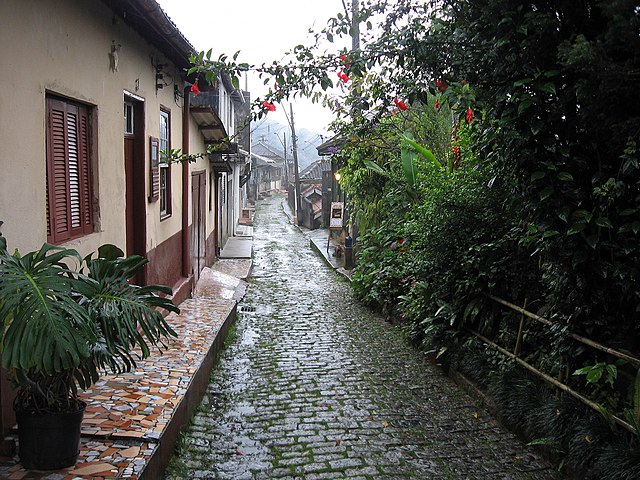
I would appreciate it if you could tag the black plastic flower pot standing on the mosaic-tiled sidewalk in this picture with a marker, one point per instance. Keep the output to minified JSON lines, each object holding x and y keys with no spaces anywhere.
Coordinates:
{"x":49,"y":441}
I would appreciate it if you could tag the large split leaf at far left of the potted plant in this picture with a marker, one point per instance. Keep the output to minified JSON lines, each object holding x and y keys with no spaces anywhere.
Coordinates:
{"x":44,"y":326}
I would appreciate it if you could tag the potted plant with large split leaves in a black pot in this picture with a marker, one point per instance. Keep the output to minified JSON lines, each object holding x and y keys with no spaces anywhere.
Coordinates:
{"x":65,"y":321}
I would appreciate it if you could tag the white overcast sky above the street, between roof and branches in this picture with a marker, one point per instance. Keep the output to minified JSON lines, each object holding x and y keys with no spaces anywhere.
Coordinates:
{"x":262,"y":30}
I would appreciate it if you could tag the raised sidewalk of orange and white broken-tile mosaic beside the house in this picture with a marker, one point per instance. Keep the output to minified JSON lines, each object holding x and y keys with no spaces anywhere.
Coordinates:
{"x":129,"y":416}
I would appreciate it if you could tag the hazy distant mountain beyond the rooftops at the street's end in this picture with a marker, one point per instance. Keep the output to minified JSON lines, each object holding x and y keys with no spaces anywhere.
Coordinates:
{"x":273,"y":134}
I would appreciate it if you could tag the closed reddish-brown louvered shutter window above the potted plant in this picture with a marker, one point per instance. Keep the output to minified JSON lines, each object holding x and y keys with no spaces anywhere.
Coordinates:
{"x":69,"y":194}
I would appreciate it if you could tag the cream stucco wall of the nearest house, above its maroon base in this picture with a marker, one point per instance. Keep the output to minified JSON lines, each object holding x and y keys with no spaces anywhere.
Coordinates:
{"x":62,"y":48}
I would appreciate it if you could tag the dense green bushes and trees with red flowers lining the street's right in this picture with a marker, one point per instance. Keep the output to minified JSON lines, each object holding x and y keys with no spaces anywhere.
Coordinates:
{"x":536,"y":118}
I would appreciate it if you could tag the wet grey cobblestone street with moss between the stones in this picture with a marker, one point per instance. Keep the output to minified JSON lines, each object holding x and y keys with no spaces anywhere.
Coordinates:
{"x":316,"y":386}
